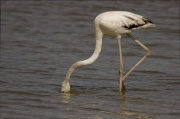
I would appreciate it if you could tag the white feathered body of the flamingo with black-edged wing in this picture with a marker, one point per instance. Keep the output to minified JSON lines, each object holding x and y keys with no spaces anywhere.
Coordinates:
{"x":116,"y":23}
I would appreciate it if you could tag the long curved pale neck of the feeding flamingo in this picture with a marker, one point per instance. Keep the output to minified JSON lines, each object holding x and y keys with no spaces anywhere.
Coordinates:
{"x":94,"y":56}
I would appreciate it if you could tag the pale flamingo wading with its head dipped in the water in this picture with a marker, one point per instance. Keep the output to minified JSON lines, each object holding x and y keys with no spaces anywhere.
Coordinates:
{"x":113,"y":23}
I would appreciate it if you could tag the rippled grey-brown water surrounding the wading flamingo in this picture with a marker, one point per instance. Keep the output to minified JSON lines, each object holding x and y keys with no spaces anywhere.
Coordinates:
{"x":40,"y":41}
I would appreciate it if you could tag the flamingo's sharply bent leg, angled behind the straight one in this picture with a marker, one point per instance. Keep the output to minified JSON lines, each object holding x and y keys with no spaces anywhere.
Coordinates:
{"x":146,"y":55}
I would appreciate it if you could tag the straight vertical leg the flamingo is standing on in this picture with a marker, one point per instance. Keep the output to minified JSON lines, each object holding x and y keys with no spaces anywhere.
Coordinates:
{"x":121,"y":84}
